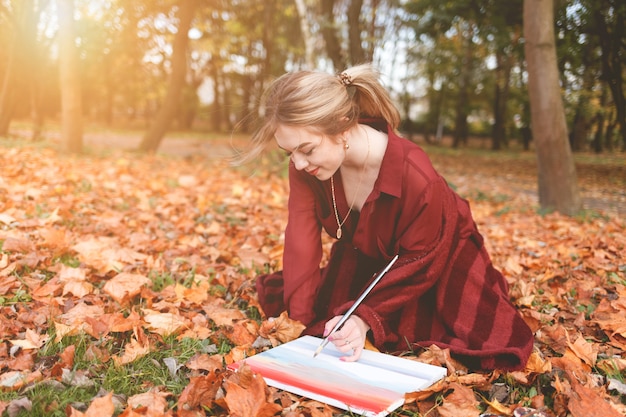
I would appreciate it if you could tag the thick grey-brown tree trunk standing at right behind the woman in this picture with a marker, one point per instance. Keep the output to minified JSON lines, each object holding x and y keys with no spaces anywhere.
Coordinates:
{"x":558,"y":187}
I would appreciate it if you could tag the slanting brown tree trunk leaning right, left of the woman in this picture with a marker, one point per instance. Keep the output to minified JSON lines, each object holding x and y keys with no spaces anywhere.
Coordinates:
{"x":166,"y":113}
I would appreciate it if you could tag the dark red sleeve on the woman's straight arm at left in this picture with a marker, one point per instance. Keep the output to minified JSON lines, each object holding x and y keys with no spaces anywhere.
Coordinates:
{"x":303,"y":250}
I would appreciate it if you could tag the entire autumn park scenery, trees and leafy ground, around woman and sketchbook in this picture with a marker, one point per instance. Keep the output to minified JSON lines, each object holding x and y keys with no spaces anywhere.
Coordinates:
{"x":126,"y":279}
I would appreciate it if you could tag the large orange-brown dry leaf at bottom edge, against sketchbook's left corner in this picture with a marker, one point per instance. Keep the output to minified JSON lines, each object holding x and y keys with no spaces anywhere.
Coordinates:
{"x":247,"y":395}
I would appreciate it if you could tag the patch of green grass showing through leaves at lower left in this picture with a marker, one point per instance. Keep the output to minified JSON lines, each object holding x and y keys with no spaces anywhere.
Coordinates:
{"x":163,"y":367}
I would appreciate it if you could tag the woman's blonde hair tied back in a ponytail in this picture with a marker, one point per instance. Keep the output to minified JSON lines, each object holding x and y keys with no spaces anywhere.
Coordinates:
{"x":326,"y":103}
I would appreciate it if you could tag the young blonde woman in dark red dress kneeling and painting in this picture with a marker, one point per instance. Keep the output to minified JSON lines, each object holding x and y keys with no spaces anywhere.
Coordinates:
{"x":378,"y":195}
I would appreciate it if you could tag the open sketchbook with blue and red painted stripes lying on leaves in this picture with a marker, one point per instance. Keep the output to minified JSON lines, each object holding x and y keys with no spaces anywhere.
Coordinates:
{"x":375,"y":385}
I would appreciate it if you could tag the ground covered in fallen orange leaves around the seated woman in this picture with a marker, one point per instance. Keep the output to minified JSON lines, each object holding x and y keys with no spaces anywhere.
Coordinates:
{"x":127,"y":286}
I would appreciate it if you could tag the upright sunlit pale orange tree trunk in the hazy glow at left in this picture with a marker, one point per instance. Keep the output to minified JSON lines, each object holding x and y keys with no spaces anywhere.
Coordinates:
{"x":71,"y":103}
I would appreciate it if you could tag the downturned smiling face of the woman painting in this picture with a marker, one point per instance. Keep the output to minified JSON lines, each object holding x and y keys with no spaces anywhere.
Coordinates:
{"x":317,"y":154}
